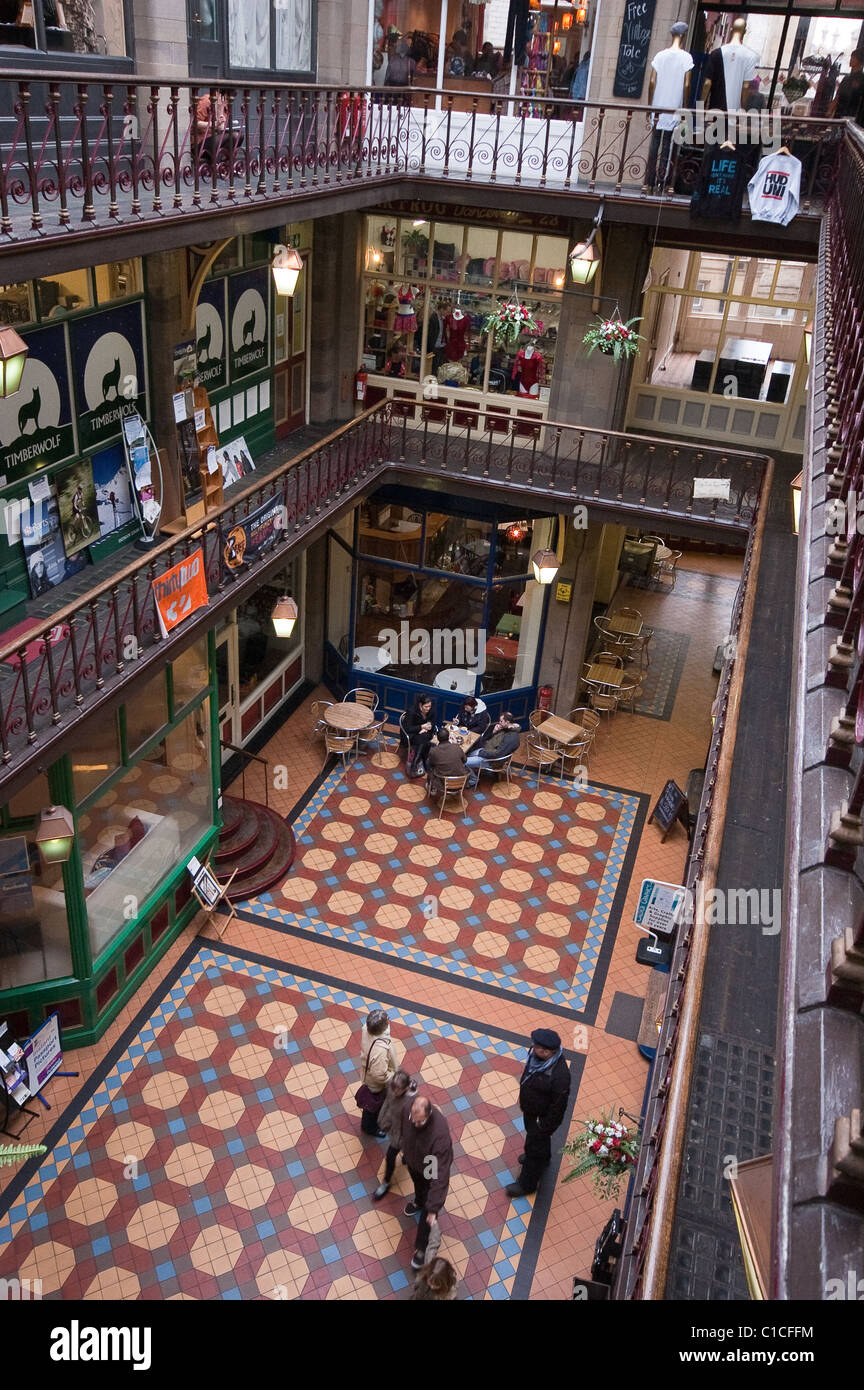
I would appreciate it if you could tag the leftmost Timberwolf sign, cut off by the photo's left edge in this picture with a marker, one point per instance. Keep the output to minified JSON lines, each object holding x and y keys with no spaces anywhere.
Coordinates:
{"x":37,"y":423}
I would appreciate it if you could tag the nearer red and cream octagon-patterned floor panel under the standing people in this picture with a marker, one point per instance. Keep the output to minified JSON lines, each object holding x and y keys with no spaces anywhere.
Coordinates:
{"x":220,"y":1156}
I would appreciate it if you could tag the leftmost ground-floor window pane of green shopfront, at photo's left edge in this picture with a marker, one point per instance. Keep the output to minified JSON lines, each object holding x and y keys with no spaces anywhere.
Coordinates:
{"x":34,"y":925}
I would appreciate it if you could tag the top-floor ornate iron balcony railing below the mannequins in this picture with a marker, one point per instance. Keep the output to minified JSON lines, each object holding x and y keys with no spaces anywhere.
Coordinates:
{"x":83,"y":154}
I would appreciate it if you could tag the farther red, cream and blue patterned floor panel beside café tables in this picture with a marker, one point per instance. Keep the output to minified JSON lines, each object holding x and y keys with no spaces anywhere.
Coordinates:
{"x":517,"y":894}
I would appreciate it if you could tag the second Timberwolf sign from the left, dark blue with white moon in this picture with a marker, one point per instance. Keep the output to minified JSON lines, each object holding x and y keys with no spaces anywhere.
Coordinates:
{"x":110,"y":377}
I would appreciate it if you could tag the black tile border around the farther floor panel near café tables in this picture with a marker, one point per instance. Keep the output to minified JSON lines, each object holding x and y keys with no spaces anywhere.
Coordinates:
{"x":595,"y":993}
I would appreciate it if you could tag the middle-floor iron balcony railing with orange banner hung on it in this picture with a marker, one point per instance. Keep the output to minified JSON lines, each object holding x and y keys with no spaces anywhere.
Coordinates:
{"x":60,"y":671}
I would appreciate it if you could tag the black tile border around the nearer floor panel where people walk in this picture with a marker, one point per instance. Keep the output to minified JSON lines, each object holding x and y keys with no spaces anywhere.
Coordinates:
{"x":542,"y":1204}
